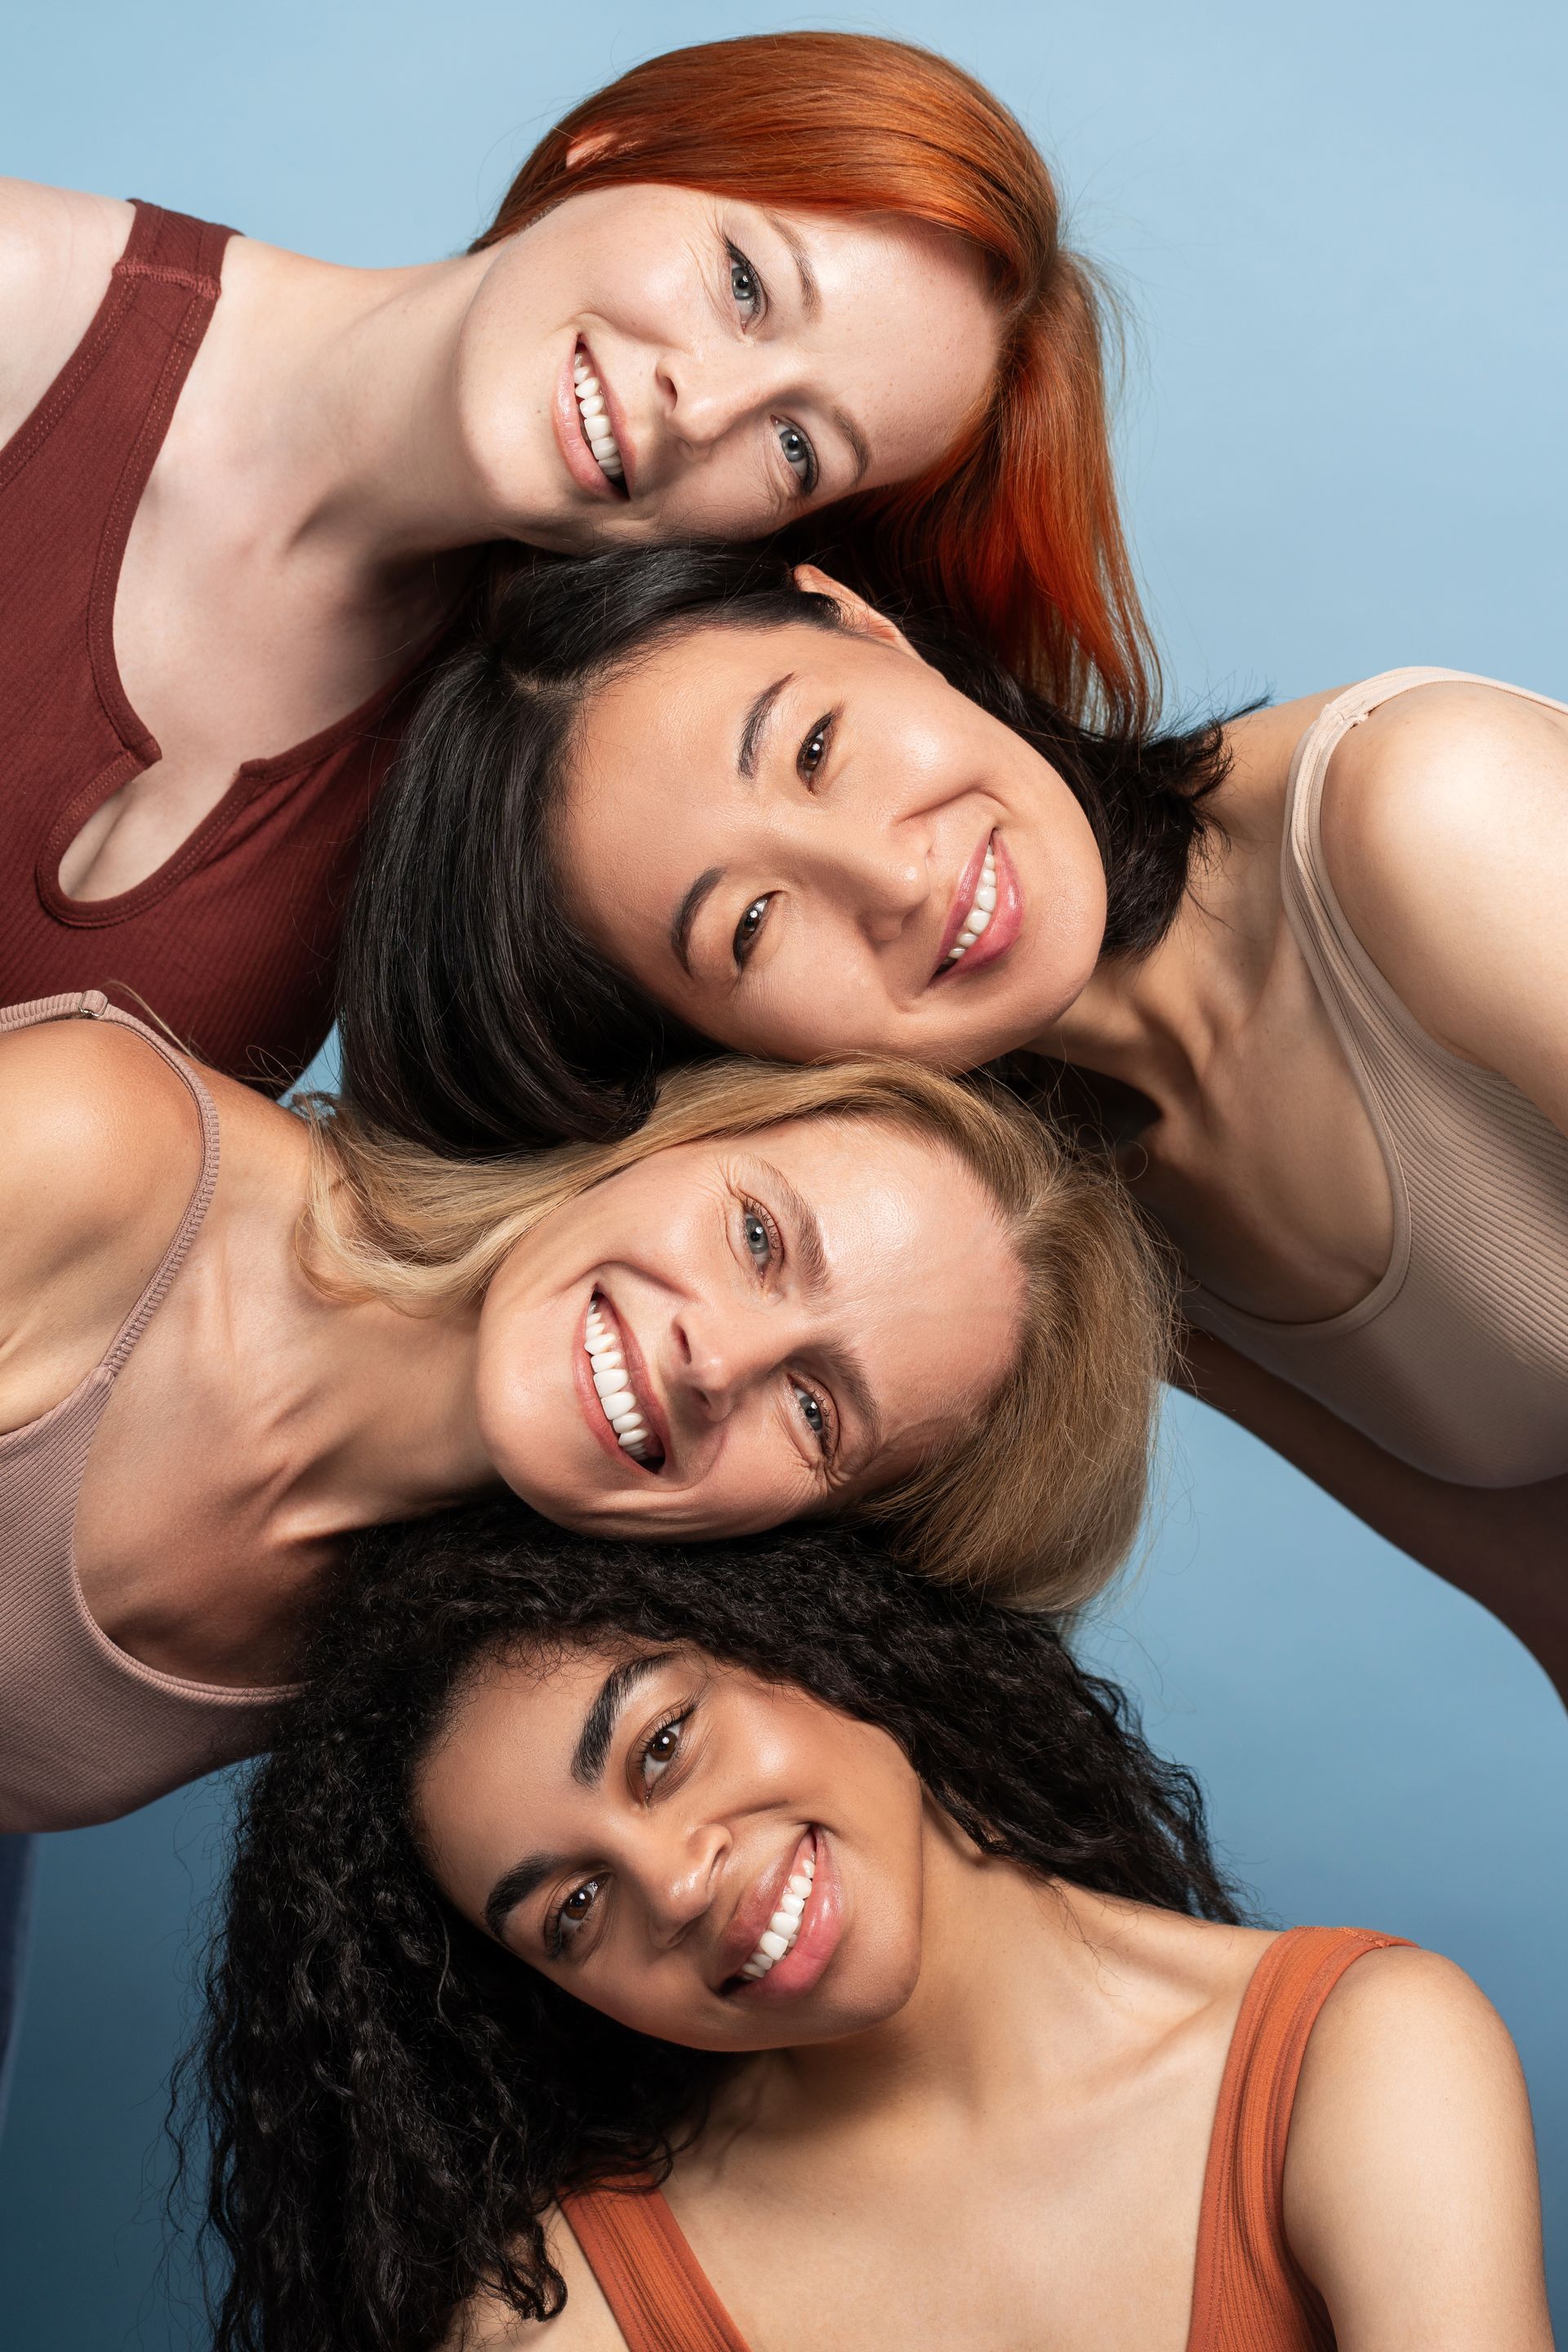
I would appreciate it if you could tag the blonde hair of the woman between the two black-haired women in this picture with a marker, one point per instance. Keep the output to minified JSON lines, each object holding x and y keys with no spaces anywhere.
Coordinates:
{"x":1038,"y":1497}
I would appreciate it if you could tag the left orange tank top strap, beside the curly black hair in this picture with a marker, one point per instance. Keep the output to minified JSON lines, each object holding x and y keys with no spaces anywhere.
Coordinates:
{"x":648,"y":2273}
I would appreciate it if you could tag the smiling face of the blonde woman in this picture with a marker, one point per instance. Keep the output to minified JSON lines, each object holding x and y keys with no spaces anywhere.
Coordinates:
{"x":737,"y":1332}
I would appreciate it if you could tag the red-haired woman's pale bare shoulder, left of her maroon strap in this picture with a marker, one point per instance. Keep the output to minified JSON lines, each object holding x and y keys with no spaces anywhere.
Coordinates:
{"x":58,"y":250}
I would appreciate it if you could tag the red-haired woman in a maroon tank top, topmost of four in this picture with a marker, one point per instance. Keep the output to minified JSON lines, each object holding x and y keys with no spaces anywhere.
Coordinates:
{"x":798,"y":283}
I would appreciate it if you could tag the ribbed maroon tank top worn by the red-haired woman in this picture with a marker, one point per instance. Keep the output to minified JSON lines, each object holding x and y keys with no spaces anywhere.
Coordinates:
{"x":234,"y":940}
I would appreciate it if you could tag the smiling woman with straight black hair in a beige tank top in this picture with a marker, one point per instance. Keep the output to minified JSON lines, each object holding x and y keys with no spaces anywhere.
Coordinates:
{"x":1306,"y":973}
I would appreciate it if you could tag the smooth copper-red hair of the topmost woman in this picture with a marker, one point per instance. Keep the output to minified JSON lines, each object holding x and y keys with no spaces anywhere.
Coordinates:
{"x":1017,"y":530}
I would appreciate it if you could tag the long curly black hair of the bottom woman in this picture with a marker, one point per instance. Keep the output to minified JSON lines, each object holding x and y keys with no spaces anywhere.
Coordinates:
{"x":391,"y":2102}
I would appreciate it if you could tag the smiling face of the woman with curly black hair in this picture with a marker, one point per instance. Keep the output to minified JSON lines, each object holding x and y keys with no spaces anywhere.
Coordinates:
{"x":636,"y":1824}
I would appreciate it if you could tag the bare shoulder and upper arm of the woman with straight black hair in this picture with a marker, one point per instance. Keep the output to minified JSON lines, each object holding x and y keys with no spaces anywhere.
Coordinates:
{"x":1447,"y":841}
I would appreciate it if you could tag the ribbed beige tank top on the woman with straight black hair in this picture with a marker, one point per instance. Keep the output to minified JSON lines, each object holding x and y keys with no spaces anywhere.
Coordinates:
{"x":1459,"y":1358}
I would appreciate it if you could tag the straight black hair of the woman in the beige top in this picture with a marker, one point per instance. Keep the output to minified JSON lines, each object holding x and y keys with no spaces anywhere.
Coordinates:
{"x":474,"y":1017}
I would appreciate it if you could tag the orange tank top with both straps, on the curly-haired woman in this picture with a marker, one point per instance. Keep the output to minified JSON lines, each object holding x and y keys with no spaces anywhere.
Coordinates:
{"x":1247,"y":2292}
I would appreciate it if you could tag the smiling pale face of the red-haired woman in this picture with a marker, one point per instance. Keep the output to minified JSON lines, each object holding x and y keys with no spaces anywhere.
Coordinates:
{"x":657,"y":363}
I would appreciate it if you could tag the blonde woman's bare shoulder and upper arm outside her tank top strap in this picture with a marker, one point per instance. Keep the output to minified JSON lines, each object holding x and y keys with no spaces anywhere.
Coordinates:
{"x":102,"y":1154}
